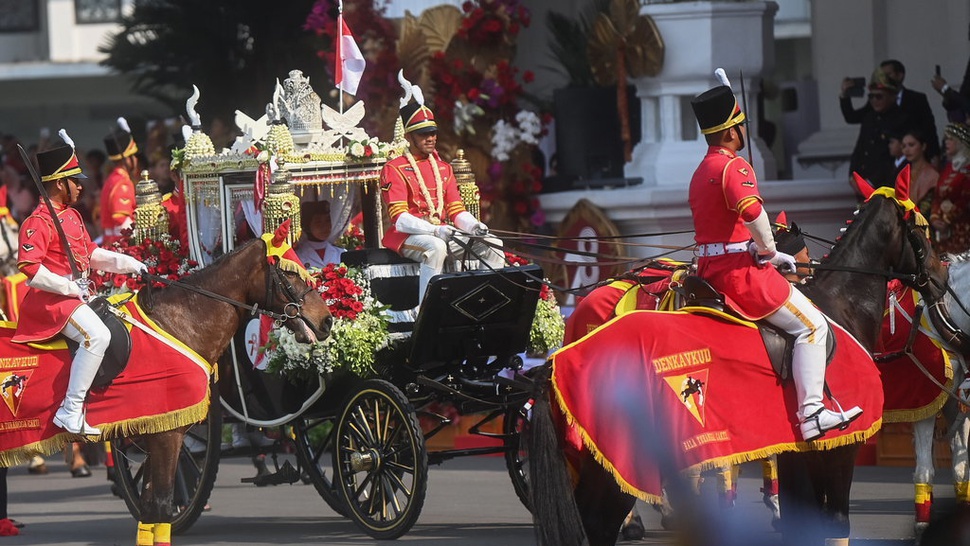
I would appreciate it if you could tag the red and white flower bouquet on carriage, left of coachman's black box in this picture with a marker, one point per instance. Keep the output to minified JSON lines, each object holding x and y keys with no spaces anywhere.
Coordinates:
{"x":359,"y":331}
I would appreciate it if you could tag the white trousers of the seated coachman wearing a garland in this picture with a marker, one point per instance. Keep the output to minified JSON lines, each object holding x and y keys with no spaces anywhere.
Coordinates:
{"x":434,"y":254}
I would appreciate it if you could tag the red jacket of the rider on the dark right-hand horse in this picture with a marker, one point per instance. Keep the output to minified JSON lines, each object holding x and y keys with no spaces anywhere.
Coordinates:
{"x":719,"y":184}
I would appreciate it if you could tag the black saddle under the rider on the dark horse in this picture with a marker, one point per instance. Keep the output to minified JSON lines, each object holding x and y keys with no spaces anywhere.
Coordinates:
{"x":779,"y":344}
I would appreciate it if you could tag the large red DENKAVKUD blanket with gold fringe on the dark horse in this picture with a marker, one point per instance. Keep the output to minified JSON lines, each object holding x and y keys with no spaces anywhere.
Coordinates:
{"x":698,"y":390}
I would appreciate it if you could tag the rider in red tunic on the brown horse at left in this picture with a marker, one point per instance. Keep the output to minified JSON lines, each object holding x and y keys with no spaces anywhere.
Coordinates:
{"x":56,"y":301}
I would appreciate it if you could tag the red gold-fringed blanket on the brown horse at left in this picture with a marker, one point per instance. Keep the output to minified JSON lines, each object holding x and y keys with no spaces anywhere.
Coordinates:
{"x":164,"y":386}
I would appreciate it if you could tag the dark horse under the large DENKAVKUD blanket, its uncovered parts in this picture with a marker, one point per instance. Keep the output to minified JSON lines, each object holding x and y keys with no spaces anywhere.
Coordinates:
{"x":883,"y":241}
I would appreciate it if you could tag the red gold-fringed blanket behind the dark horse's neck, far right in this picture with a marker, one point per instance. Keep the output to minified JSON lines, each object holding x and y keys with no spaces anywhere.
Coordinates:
{"x":911,"y":395}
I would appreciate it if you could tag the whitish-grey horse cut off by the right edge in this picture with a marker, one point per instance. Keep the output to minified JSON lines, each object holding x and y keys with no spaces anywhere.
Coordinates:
{"x":956,"y":415}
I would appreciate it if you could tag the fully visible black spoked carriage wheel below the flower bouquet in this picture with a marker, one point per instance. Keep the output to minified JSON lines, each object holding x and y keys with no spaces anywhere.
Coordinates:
{"x":381,"y":462}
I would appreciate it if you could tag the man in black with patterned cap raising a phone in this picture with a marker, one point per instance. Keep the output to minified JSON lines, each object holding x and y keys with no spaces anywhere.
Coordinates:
{"x":879,"y":117}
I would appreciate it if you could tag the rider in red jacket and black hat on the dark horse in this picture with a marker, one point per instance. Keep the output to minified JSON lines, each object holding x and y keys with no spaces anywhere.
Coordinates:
{"x":727,"y":212}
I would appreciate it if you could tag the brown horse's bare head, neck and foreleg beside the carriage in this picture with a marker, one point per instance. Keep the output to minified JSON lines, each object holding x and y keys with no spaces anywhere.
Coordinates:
{"x":204,"y":311}
